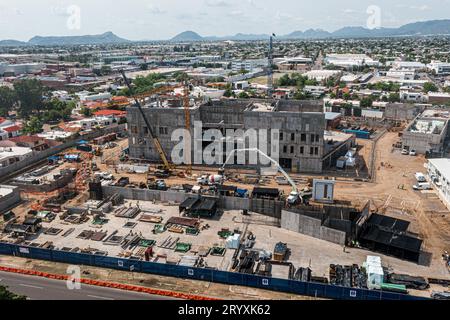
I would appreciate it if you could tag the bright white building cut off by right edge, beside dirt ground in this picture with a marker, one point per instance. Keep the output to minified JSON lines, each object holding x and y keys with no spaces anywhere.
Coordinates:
{"x":439,"y":174}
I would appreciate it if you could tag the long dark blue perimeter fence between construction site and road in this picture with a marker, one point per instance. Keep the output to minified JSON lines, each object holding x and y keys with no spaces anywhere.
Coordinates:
{"x":312,"y":289}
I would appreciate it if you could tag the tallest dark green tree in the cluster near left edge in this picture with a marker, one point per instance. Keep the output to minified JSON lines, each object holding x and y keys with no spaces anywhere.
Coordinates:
{"x":29,"y":94}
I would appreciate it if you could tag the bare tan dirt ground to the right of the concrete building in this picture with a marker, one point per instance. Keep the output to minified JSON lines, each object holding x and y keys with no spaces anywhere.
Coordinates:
{"x":392,"y":193}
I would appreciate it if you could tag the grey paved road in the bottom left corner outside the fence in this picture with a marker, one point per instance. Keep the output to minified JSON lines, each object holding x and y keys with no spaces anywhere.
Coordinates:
{"x":37,"y":288}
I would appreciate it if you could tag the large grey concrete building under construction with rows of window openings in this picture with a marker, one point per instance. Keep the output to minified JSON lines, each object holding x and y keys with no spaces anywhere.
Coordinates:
{"x":301,"y":126}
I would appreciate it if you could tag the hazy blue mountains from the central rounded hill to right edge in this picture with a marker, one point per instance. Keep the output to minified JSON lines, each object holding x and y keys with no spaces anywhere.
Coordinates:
{"x":425,"y":28}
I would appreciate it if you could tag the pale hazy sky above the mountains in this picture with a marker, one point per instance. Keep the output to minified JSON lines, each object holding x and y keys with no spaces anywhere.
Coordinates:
{"x":162,"y":19}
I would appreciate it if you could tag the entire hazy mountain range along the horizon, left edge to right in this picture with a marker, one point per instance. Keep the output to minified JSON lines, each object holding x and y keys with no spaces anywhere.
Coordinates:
{"x":425,"y":28}
